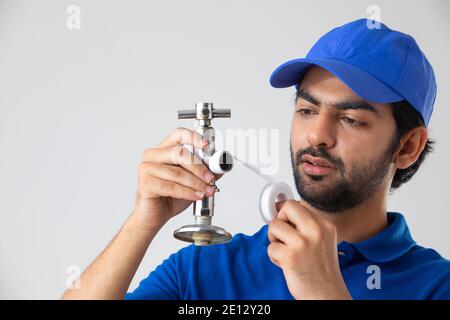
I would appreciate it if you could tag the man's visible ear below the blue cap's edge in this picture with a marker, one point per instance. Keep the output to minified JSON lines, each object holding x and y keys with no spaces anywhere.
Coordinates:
{"x":411,"y":146}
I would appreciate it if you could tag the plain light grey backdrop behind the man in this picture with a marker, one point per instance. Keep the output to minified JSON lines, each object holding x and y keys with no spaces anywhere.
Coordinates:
{"x":78,"y":107}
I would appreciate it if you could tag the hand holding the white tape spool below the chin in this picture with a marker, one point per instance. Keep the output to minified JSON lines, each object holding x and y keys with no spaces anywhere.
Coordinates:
{"x":304,"y":246}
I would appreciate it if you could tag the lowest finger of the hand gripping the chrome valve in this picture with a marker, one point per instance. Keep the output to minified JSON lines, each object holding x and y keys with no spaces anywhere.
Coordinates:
{"x":153,"y":187}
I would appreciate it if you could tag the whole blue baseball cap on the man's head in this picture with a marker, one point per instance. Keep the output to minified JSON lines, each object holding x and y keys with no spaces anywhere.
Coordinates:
{"x":377,"y":63}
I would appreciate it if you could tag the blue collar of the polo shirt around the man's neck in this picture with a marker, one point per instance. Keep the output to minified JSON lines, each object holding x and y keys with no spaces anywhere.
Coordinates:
{"x":389,"y":244}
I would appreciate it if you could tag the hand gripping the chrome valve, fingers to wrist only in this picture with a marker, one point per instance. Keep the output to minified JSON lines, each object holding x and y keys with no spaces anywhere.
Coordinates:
{"x":170,"y":179}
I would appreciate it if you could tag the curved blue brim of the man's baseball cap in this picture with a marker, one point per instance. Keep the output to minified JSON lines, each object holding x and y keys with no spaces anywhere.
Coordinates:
{"x":362,"y":83}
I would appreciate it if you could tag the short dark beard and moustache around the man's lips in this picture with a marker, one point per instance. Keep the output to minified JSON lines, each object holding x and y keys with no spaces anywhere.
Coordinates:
{"x":341,"y":189}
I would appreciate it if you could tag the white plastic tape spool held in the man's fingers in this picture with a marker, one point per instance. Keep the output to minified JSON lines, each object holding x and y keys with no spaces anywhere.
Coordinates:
{"x":272,"y":193}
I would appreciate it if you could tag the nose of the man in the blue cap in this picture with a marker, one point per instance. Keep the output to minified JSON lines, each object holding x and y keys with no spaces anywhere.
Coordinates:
{"x":321,"y":131}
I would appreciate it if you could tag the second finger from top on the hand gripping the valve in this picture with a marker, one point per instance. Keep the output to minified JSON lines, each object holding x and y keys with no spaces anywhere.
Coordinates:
{"x":180,"y":156}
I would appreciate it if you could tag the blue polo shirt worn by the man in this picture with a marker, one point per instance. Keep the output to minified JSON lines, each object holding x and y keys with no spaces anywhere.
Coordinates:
{"x":389,"y":265}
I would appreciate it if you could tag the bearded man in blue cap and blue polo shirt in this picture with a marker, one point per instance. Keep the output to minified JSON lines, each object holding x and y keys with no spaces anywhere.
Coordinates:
{"x":359,"y":129}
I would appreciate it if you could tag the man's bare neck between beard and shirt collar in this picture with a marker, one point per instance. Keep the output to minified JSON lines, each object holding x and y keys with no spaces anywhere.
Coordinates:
{"x":361,"y":222}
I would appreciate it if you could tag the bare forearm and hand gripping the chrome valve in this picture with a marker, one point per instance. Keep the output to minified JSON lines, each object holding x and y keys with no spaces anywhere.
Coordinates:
{"x":170,"y":179}
